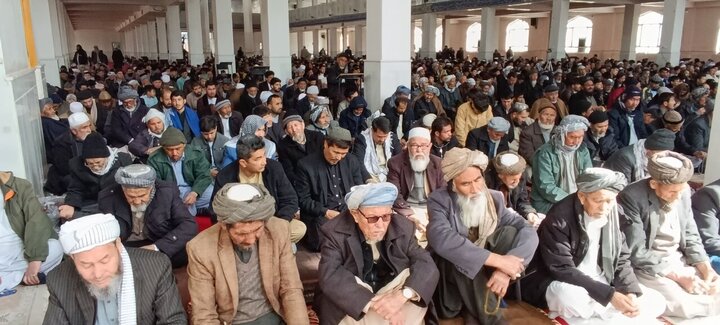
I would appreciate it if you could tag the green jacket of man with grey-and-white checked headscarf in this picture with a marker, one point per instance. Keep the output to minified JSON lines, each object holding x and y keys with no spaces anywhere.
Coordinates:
{"x":546,"y":189}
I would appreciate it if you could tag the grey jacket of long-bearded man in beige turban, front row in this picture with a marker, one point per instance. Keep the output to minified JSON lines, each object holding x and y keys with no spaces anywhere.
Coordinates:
{"x":447,"y":235}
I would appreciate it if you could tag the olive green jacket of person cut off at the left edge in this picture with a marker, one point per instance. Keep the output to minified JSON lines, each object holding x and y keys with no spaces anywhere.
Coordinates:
{"x":27,"y":218}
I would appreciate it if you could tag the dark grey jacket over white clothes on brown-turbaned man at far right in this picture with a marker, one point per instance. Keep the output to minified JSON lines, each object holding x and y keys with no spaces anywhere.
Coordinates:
{"x":640,"y":220}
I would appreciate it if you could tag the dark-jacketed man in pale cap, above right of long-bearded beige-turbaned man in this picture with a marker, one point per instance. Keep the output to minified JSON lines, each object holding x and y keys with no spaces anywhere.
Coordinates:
{"x":491,"y":138}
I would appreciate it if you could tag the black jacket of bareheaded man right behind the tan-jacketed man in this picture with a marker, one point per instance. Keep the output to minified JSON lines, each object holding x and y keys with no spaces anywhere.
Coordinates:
{"x":274,"y":179}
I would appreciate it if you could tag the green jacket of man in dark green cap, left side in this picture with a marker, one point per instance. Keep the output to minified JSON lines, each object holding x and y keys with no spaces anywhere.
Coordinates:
{"x":195,"y":167}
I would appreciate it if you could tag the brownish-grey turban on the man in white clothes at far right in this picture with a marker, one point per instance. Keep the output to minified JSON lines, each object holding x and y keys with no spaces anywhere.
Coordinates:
{"x":669,"y":167}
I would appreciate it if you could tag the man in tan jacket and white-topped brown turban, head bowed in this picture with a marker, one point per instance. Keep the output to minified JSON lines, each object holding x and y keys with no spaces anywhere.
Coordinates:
{"x":242,"y":270}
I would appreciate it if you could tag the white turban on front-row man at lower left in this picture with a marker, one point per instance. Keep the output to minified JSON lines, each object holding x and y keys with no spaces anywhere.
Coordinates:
{"x":83,"y":234}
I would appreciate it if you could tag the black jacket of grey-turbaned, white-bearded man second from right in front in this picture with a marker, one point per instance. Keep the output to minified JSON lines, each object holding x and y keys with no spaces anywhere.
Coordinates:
{"x":563,"y":245}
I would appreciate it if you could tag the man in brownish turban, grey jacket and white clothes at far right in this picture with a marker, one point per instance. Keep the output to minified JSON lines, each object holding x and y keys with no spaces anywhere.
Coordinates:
{"x":665,"y":247}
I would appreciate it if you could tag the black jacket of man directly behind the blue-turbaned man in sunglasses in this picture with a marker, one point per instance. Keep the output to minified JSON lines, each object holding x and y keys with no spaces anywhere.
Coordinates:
{"x":313,"y":187}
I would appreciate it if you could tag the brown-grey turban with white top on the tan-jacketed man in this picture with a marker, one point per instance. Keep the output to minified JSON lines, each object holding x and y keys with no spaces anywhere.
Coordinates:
{"x":242,"y":203}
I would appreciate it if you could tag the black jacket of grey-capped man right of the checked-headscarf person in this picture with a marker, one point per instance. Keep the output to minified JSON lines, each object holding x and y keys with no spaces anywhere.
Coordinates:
{"x":290,"y":152}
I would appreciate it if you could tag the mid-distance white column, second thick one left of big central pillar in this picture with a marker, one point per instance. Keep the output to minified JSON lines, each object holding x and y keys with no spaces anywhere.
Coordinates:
{"x":222,"y":31}
